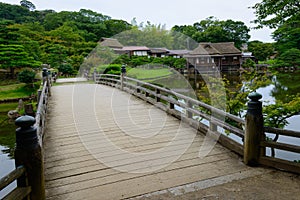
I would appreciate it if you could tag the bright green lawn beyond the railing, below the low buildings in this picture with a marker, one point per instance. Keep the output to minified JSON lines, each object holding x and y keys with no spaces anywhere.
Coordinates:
{"x":140,"y":73}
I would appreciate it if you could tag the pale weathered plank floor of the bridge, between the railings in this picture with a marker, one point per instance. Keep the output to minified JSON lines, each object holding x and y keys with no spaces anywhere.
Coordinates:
{"x":102,"y":143}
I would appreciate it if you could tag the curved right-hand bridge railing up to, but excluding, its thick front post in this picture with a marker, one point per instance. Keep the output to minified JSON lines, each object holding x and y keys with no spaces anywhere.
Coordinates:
{"x":166,"y":99}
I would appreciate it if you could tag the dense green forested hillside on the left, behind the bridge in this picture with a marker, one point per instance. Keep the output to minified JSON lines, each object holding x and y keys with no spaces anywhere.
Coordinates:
{"x":29,"y":37}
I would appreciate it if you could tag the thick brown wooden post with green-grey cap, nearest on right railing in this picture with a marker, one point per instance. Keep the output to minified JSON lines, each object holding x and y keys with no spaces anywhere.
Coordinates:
{"x":254,"y":130}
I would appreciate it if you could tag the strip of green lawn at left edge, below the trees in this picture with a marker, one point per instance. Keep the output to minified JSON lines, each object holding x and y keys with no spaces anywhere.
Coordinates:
{"x":16,"y":91}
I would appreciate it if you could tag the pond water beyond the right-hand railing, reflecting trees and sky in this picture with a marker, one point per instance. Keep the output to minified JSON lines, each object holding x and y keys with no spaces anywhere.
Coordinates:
{"x":279,"y":86}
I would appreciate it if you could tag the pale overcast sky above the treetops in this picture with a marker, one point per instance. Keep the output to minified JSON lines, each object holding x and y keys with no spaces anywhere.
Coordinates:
{"x":169,"y":12}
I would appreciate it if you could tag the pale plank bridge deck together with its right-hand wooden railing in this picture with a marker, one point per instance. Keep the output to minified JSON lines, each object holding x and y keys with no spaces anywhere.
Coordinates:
{"x":103,"y":142}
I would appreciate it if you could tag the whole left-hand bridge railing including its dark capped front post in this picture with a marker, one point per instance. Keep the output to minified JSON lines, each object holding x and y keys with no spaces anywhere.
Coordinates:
{"x":29,"y":171}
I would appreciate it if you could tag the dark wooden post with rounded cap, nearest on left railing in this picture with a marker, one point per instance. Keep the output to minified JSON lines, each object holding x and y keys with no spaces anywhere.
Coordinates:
{"x":29,"y":154}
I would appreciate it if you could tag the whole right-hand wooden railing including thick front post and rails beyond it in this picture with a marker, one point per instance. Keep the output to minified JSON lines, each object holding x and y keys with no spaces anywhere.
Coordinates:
{"x":218,"y":121}
